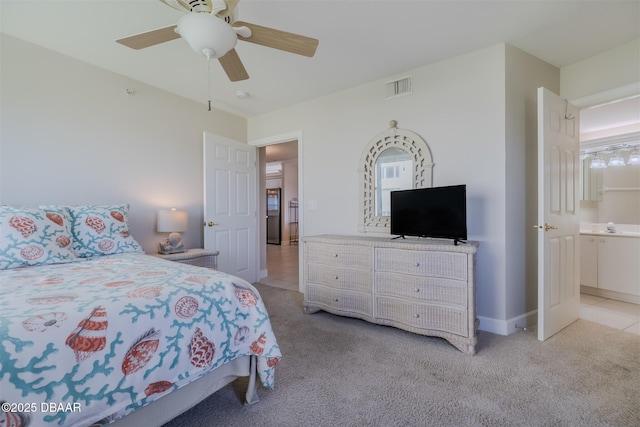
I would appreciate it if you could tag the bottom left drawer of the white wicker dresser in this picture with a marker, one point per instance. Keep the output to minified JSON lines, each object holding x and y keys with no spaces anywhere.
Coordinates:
{"x":337,"y":300}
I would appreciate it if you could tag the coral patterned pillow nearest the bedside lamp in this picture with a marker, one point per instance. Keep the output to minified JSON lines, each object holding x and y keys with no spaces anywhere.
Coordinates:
{"x":102,"y":230}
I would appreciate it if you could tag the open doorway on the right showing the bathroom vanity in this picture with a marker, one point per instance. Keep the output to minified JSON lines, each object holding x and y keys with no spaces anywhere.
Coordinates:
{"x":610,"y":194}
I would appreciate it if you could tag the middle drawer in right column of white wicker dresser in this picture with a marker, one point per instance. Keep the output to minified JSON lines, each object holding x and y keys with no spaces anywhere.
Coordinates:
{"x":422,"y":289}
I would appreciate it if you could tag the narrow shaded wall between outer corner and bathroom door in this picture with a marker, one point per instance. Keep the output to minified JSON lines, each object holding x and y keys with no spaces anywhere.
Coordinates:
{"x":525,"y":73}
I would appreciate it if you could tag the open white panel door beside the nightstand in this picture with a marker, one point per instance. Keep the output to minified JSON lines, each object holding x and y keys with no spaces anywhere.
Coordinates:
{"x":230,"y":220}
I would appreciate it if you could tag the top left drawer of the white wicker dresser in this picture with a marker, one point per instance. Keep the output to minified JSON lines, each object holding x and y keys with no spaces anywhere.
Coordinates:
{"x":339,"y":255}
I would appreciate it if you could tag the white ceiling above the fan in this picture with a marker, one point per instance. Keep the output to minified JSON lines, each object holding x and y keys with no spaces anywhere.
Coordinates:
{"x":360,"y":40}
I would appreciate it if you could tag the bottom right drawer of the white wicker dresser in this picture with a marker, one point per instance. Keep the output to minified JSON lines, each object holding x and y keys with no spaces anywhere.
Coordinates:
{"x":423,"y":316}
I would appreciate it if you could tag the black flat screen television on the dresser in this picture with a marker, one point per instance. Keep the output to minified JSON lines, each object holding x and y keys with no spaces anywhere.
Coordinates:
{"x":438,"y":212}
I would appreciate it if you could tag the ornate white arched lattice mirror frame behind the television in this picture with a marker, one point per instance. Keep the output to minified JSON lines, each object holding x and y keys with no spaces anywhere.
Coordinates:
{"x":422,"y":172}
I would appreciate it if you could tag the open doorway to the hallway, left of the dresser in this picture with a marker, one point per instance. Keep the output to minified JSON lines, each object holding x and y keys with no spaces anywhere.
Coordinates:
{"x":279,"y":175}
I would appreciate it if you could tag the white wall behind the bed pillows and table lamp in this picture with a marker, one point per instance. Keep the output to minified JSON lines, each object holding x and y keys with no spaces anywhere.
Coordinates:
{"x":71,"y":135}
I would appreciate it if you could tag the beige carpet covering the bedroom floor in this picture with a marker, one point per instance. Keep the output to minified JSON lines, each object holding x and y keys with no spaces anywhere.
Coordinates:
{"x":338,"y":371}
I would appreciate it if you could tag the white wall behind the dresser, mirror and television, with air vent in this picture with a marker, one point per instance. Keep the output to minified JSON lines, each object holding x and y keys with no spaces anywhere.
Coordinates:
{"x":457,"y":106}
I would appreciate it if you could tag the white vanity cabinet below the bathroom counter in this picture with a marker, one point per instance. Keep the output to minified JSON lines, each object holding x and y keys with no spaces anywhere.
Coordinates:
{"x":610,"y":263}
